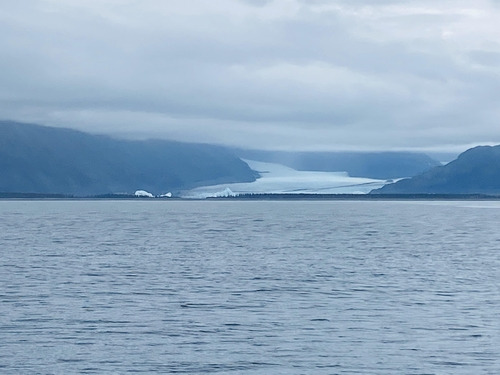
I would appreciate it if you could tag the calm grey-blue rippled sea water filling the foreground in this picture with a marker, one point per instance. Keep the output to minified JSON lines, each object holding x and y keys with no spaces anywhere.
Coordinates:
{"x":115,"y":287}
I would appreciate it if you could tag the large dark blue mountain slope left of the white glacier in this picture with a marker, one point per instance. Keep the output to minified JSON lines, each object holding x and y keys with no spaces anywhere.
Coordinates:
{"x":42,"y":159}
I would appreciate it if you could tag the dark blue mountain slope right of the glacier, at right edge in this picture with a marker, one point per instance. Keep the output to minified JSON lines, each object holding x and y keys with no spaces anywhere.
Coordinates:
{"x":475,"y":171}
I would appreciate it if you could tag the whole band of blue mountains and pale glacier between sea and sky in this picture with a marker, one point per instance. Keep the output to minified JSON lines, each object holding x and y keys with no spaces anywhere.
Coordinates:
{"x":37,"y":159}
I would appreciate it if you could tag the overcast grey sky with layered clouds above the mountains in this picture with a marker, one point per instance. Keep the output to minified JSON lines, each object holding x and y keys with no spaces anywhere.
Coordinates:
{"x":282,"y":74}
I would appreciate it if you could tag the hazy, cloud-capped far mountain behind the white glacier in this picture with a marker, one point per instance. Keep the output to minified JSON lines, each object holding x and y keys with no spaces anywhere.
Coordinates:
{"x":377,"y":165}
